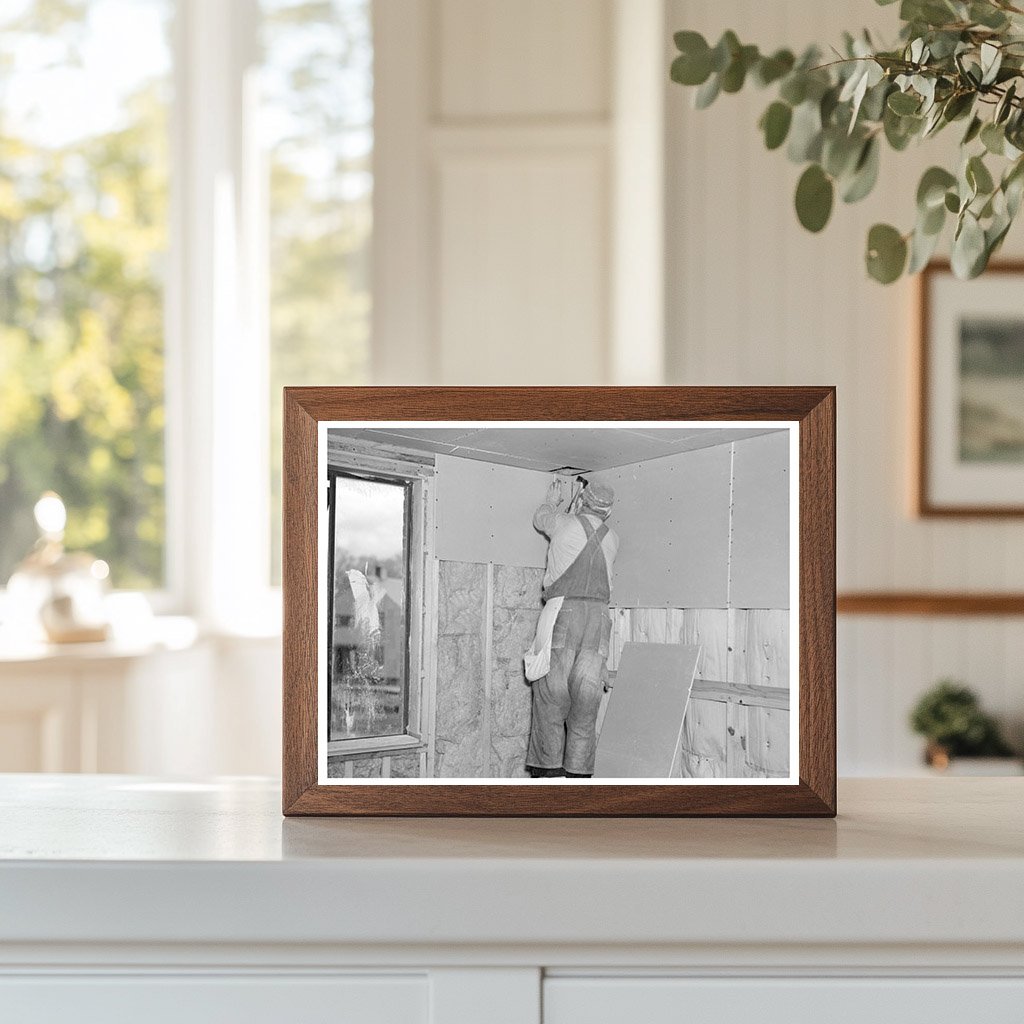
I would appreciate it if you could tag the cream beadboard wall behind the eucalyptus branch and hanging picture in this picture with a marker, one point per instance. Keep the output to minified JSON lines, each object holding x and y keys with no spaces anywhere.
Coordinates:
{"x":754,"y":300}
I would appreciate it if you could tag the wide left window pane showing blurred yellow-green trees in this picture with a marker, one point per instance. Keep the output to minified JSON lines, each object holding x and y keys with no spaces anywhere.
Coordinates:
{"x":83,"y":241}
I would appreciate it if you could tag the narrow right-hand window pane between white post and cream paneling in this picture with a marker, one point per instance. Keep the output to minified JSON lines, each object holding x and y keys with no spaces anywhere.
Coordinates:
{"x":317,"y":122}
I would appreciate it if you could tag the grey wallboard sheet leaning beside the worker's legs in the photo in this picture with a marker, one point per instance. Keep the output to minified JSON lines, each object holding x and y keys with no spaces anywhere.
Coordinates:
{"x":644,"y":723}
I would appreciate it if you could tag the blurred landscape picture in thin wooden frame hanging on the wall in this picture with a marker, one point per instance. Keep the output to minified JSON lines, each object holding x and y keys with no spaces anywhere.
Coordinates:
{"x":971,"y":394}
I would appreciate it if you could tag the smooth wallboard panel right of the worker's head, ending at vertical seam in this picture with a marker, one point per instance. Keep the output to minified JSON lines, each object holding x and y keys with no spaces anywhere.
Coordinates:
{"x":672,"y":517}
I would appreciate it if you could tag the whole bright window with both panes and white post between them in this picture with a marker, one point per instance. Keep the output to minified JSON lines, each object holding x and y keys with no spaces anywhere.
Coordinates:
{"x":204,"y":166}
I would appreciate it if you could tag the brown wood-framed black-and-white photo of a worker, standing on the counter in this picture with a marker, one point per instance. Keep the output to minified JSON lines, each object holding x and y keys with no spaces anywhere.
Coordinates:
{"x":560,"y":602}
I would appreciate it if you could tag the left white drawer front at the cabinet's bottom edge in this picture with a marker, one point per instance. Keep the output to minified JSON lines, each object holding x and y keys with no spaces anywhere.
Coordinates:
{"x":221,"y":1000}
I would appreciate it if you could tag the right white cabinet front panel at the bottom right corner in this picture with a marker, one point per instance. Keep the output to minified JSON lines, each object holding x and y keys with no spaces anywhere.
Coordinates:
{"x":825,"y":1001}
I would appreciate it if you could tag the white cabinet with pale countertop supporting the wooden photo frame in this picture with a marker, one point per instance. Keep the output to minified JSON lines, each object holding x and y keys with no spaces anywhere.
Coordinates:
{"x":135,"y":899}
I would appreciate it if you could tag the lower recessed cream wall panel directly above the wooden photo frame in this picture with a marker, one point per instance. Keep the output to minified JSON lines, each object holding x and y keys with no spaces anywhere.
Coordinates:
{"x":523,"y":250}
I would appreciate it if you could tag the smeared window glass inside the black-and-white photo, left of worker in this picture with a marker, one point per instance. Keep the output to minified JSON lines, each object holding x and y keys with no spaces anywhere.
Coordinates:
{"x":368,"y":676}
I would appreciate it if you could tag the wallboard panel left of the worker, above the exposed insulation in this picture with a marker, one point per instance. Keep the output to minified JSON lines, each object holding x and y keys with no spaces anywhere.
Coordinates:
{"x":486,"y":514}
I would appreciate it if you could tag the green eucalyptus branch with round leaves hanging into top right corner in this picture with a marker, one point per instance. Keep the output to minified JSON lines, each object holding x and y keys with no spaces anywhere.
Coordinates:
{"x":957,"y":62}
